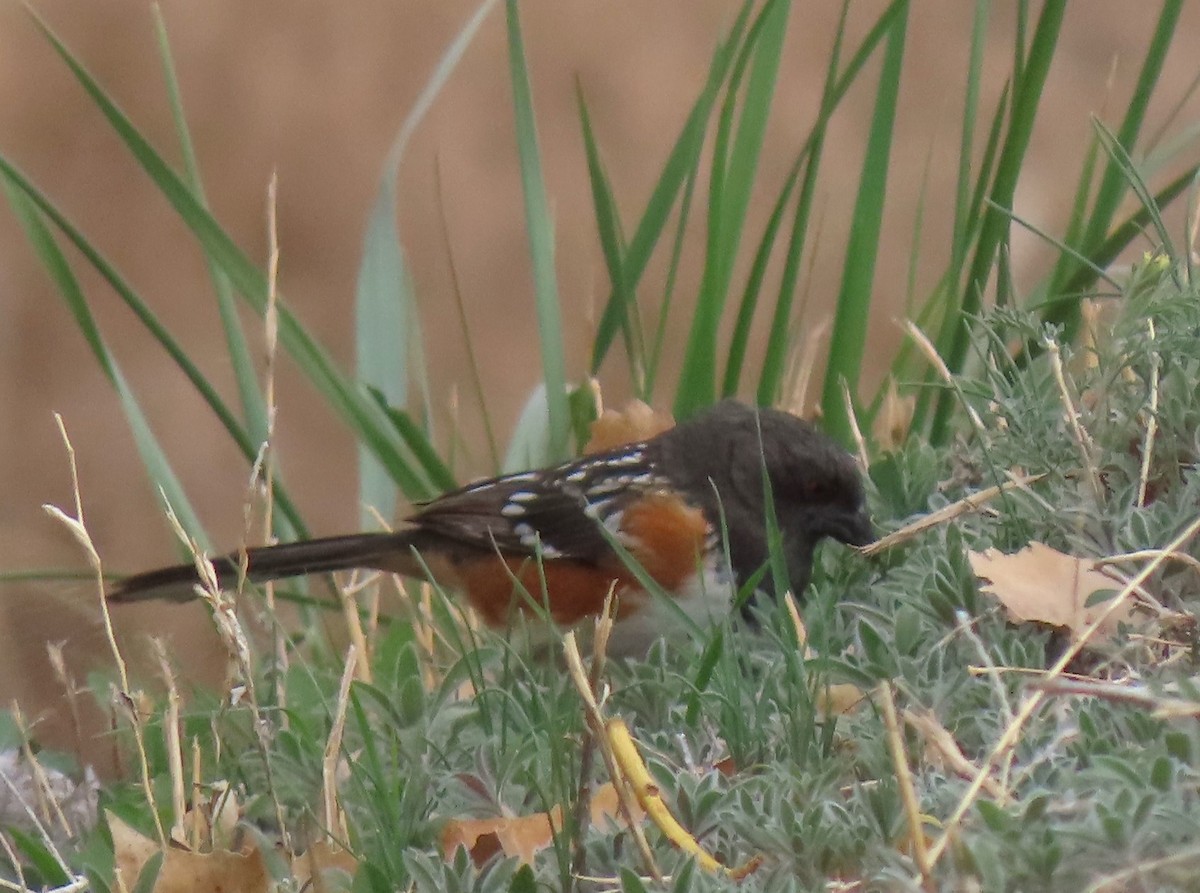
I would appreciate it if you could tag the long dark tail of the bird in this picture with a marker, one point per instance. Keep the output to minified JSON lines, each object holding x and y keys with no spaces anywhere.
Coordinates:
{"x":375,"y":552}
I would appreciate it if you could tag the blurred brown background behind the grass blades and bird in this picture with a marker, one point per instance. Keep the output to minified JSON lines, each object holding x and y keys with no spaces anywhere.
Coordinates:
{"x":316,"y":92}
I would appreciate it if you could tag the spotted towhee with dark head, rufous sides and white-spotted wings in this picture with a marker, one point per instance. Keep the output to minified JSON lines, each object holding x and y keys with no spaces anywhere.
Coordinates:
{"x":688,"y":507}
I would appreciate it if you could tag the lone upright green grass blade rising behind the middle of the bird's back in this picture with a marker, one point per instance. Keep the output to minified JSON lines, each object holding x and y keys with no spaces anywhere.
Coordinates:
{"x":542,"y":245}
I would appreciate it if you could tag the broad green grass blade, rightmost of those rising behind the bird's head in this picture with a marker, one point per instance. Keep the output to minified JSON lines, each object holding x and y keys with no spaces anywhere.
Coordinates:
{"x":849,"y":338}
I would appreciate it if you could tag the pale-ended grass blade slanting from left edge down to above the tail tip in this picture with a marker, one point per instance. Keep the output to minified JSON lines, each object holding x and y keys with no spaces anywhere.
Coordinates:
{"x":154,"y":460}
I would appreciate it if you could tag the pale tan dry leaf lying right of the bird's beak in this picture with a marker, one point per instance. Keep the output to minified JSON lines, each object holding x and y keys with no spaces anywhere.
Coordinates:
{"x":1043,"y":585}
